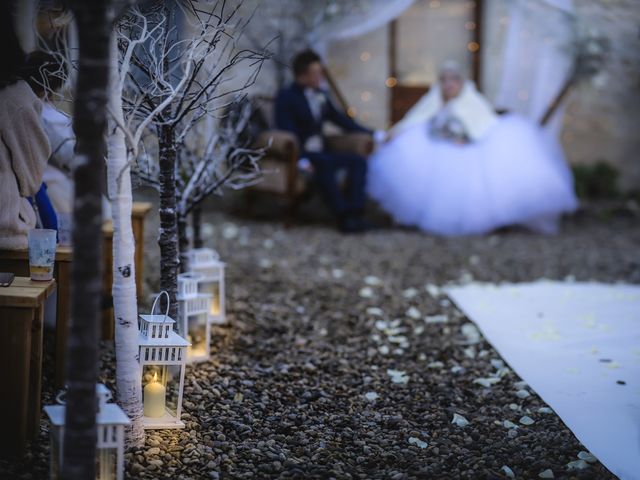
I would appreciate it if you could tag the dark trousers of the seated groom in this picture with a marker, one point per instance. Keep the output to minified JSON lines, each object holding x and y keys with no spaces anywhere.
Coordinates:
{"x":343,"y":201}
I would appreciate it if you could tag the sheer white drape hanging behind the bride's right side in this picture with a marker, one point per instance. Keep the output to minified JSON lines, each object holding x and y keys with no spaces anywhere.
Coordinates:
{"x":537,"y":57}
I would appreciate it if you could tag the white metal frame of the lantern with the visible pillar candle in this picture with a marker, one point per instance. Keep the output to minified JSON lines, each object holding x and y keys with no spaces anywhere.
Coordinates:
{"x":160,"y":346}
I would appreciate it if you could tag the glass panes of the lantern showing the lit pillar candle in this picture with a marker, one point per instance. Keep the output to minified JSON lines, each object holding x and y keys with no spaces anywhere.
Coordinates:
{"x":168,"y":376}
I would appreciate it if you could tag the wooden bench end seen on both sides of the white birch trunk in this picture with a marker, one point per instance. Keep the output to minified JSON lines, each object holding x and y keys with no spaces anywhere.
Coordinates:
{"x":138,"y":213}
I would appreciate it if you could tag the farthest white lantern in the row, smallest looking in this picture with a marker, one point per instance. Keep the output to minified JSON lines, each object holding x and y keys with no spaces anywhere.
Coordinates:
{"x":206,"y":262}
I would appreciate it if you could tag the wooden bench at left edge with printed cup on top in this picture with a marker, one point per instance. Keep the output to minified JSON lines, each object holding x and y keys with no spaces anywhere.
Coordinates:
{"x":21,"y":327}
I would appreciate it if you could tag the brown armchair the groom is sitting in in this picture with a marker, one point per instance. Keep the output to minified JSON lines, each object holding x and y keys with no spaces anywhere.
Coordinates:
{"x":282,"y":176}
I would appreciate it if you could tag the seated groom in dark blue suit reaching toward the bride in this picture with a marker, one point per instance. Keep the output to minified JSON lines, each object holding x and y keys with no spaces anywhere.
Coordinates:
{"x":301,"y":109}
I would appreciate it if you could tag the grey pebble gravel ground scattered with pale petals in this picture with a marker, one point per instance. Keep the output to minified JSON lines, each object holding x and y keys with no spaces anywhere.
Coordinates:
{"x":299,"y":384}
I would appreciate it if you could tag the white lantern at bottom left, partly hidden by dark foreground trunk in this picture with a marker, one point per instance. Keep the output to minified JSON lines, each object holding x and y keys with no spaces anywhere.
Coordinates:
{"x":110,"y":421}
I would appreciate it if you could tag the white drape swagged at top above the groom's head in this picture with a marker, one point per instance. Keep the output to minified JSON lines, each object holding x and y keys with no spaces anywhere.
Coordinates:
{"x":354,"y":19}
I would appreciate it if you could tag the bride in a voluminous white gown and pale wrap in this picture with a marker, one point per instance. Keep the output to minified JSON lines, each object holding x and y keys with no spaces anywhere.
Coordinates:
{"x":454,"y":167}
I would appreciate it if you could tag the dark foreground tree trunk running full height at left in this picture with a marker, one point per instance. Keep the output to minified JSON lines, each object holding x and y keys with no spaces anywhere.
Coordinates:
{"x":95,"y":20}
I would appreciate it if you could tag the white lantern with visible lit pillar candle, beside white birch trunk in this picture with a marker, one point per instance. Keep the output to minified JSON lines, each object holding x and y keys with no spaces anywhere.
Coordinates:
{"x":163,"y":355}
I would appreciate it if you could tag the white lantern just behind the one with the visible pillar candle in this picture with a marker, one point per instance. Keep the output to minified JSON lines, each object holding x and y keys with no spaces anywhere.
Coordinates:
{"x":193,"y":320}
